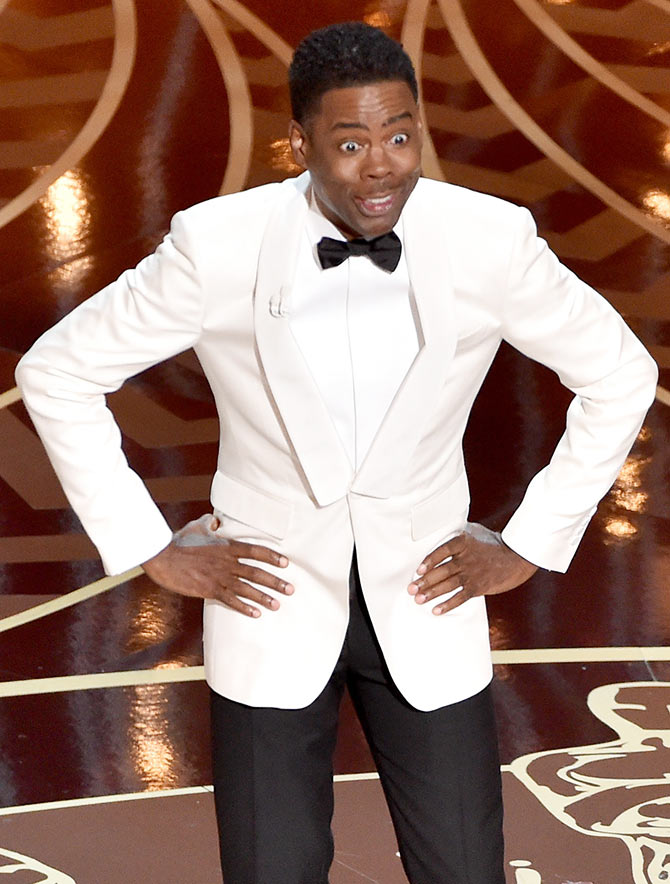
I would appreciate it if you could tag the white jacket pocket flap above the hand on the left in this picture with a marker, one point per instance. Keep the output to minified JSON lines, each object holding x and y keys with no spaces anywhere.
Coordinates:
{"x":250,"y":506}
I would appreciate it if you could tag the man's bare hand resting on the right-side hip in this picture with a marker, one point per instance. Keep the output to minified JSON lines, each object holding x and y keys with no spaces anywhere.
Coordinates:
{"x":479,"y":563}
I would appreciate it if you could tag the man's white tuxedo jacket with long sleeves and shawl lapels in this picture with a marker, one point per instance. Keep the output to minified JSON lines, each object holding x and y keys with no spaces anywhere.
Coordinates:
{"x":221,"y":283}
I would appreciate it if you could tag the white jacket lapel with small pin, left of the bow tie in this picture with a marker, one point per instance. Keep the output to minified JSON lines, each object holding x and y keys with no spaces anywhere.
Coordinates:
{"x":299,"y":403}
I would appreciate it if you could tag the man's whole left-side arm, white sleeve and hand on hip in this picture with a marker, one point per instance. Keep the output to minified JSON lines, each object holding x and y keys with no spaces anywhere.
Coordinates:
{"x":147,"y":315}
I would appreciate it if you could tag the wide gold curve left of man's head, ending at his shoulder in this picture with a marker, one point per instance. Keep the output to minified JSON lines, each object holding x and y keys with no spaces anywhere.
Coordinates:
{"x":239,"y":96}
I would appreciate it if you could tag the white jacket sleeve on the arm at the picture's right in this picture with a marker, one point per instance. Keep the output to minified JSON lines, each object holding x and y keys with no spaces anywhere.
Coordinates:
{"x":558,"y":320}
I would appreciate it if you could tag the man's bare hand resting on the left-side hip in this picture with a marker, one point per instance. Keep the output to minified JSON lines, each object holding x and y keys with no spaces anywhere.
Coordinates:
{"x":203,"y":564}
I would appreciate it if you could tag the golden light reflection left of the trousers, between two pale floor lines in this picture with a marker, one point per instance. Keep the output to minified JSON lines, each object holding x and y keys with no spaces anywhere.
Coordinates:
{"x":151,"y":749}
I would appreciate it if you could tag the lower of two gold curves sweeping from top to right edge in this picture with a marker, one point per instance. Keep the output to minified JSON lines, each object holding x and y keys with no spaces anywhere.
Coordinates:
{"x":471,"y":52}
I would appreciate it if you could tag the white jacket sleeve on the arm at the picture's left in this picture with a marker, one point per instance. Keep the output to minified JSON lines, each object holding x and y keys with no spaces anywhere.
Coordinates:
{"x":147,"y":315}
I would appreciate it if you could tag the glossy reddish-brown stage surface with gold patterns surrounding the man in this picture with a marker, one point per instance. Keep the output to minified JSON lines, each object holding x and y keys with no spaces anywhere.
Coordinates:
{"x":115,"y":114}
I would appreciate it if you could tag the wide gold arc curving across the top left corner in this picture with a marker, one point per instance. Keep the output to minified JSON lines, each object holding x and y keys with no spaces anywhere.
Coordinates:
{"x":123,"y":59}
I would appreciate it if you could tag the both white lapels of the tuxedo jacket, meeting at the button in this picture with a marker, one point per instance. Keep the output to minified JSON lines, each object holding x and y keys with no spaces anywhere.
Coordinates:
{"x":301,"y":409}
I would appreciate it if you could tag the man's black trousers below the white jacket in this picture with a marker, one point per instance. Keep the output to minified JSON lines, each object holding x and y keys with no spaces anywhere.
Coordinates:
{"x":439,"y":770}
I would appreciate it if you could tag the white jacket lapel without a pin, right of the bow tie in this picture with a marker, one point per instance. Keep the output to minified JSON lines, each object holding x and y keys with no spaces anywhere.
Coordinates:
{"x":426,"y":251}
